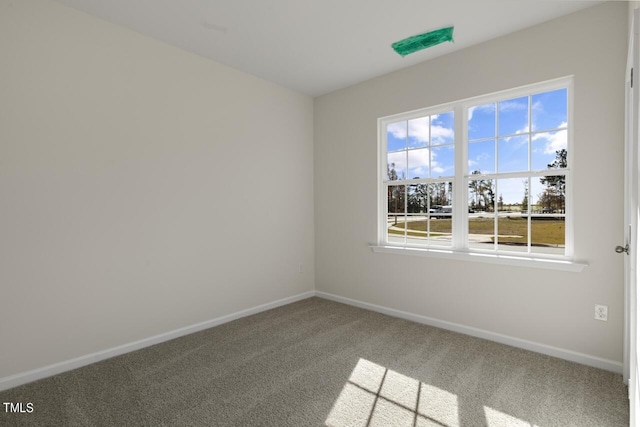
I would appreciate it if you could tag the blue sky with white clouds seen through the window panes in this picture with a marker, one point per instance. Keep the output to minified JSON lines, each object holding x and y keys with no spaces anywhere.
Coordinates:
{"x":423,"y":147}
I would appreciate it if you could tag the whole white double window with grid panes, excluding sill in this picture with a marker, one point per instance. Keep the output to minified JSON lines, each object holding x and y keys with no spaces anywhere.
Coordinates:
{"x":487,"y":175}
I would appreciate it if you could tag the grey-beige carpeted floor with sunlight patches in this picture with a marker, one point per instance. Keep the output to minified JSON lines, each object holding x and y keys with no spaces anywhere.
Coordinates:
{"x":317,"y":362}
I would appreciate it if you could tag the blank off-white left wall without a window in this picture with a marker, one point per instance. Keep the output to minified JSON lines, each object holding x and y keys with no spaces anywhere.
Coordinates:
{"x":142,"y":188}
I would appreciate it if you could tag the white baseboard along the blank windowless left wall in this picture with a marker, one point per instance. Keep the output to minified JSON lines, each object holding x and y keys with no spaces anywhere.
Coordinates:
{"x":78,"y":362}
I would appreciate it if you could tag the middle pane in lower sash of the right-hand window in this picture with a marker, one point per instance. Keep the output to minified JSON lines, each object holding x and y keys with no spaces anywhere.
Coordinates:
{"x":513,"y":227}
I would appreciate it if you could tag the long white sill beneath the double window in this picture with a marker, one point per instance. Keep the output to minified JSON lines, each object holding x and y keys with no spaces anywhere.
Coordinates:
{"x":519,"y":261}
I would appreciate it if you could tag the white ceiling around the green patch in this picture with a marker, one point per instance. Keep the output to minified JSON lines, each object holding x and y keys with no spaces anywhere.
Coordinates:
{"x":318,"y":46}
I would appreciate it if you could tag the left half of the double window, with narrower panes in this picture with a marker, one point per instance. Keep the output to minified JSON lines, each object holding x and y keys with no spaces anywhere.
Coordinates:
{"x":419,"y":176}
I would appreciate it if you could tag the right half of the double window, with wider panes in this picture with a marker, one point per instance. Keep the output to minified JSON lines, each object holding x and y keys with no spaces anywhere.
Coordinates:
{"x":518,"y":176}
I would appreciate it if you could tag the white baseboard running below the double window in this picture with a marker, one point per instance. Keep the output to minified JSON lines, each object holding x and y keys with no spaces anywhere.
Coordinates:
{"x":573,"y":356}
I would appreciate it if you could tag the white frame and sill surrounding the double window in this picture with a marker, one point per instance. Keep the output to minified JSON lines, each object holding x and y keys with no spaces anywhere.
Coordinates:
{"x":459,"y":248}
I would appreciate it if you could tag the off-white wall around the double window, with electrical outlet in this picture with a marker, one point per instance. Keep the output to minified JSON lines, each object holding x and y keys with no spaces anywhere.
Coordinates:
{"x":547,"y":307}
